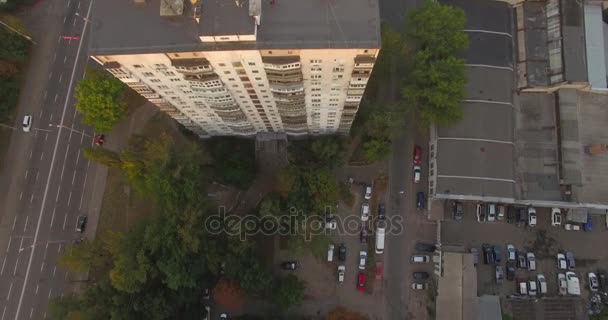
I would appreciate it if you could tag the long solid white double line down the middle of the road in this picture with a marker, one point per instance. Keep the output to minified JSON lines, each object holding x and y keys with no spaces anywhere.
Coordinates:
{"x":52,"y":164}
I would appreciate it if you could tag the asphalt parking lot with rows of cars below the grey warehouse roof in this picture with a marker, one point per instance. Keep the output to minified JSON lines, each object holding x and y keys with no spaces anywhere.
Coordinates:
{"x":544,"y":240}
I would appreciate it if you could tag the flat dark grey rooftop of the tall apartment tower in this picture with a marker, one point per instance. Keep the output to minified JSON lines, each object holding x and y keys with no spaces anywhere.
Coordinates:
{"x":126,"y":27}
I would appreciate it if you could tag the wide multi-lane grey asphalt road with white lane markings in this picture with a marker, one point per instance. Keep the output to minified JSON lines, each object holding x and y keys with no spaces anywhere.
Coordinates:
{"x":45,"y":175}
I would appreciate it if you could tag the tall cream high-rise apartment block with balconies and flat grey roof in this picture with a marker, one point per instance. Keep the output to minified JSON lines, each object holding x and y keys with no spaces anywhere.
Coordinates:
{"x":243,"y":67}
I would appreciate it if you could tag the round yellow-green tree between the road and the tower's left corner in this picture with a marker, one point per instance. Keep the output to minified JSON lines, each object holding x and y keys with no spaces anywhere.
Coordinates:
{"x":100,"y":100}
